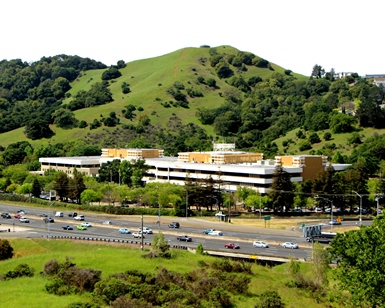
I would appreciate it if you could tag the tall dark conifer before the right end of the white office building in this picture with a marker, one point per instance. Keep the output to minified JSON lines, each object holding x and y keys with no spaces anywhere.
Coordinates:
{"x":281,"y":192}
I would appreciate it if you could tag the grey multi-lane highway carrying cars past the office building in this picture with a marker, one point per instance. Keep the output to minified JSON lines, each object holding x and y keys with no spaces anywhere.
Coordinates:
{"x":242,"y":235}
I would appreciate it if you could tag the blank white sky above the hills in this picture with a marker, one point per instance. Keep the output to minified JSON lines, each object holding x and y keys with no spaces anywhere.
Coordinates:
{"x":295,"y":34}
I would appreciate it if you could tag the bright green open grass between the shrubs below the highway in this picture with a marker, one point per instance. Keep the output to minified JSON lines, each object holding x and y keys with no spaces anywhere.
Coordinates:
{"x":30,"y":292}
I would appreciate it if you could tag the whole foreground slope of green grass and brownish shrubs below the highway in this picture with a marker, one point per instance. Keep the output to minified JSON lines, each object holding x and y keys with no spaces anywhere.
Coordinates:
{"x":183,"y":268}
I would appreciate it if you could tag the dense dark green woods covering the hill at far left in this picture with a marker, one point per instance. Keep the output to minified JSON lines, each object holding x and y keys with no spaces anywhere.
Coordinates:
{"x":32,"y":92}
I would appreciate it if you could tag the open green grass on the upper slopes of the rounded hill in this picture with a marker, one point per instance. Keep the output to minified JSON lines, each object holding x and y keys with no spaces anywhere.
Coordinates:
{"x":149,"y":80}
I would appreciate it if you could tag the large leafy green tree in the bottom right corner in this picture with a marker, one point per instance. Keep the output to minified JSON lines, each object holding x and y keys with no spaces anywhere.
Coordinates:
{"x":360,"y":268}
